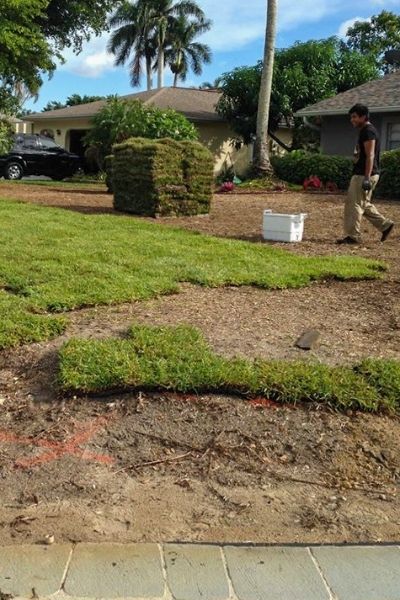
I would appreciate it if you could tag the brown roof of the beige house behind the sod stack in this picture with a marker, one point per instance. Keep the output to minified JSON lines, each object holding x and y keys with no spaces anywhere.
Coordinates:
{"x":197,"y":105}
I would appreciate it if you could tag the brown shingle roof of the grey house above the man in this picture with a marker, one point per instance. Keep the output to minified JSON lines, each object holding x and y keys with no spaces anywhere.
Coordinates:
{"x":381,"y":95}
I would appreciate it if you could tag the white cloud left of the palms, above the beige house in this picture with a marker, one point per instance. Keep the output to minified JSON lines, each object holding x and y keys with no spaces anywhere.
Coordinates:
{"x":93,"y":61}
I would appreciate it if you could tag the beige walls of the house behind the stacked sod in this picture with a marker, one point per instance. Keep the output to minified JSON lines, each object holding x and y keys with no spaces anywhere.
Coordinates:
{"x":216,"y":136}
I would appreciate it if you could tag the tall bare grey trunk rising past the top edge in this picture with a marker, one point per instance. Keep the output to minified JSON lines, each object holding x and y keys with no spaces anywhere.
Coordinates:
{"x":261,"y":160}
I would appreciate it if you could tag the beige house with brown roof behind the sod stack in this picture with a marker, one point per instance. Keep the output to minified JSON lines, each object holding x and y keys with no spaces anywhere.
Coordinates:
{"x":69,"y":125}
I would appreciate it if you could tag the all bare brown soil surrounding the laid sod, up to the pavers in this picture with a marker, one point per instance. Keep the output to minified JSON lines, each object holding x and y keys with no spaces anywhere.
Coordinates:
{"x":165,"y":467}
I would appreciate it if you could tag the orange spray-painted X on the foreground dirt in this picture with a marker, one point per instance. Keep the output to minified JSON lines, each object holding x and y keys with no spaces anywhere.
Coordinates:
{"x":56,"y":450}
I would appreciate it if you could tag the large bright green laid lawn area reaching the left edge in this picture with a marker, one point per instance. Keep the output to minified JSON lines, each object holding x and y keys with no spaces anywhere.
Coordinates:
{"x":53,"y":260}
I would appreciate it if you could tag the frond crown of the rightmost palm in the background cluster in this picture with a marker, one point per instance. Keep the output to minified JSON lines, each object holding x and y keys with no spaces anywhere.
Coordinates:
{"x":182,"y":52}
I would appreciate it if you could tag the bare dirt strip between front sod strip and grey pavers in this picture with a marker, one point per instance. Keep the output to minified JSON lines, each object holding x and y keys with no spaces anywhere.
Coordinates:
{"x":196,"y":468}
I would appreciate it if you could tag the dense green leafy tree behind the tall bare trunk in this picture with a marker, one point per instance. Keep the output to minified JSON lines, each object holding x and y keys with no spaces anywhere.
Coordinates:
{"x":305,"y":73}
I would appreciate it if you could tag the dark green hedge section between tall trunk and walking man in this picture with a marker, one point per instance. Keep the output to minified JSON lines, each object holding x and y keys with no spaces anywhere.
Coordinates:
{"x":296,"y":166}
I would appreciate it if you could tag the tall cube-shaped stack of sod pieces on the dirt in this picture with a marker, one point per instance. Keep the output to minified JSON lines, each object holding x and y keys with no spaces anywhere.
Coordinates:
{"x":162,"y":177}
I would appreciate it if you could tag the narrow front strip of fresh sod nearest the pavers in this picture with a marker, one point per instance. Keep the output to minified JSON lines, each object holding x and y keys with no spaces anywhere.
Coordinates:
{"x":179,"y":359}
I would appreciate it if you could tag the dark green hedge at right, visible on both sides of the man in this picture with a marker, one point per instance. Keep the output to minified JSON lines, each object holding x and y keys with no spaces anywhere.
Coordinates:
{"x":298,"y":165}
